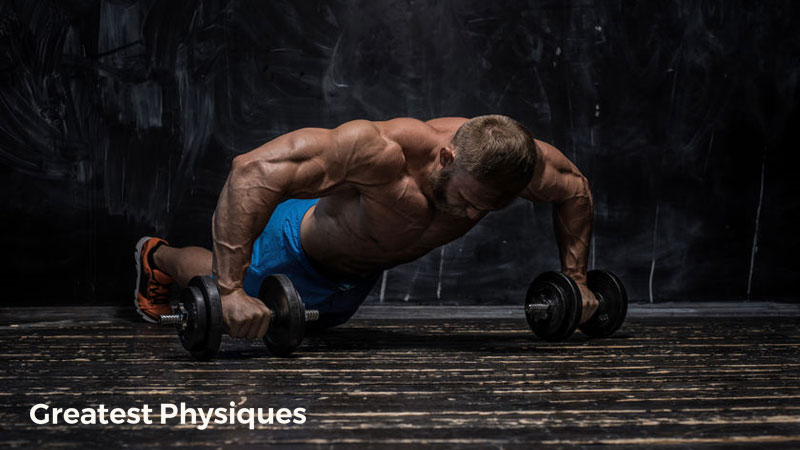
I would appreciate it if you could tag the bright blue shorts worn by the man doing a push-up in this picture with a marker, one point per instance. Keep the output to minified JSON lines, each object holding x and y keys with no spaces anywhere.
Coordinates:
{"x":278,"y":250}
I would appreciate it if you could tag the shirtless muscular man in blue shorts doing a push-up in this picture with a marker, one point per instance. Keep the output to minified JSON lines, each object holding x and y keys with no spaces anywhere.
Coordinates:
{"x":332,"y":209}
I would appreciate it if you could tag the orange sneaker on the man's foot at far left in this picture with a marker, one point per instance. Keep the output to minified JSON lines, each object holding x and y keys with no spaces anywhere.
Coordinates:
{"x":151,"y":295}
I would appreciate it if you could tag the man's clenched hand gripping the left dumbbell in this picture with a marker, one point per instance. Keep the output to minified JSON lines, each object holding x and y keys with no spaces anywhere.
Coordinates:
{"x":245,"y":317}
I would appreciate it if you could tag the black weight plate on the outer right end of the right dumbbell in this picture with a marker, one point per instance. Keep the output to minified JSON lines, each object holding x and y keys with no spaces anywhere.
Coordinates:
{"x":613,"y":308}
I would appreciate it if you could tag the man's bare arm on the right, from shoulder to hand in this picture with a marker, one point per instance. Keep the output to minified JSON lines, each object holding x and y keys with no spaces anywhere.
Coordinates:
{"x":556,"y":180}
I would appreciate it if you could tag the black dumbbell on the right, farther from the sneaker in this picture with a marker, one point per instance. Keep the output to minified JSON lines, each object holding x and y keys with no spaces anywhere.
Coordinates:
{"x":553,"y":305}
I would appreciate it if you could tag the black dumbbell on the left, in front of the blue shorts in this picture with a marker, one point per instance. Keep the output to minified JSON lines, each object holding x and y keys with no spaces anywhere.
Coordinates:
{"x":198,"y":316}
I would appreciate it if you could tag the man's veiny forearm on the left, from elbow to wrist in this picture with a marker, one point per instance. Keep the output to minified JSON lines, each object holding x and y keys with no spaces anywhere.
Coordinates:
{"x":243,"y":210}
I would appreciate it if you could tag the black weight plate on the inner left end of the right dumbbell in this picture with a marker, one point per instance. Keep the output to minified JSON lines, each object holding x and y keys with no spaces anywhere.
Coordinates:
{"x":561,"y":293}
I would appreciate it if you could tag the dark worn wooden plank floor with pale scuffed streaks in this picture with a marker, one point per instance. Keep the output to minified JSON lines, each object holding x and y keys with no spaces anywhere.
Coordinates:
{"x":685,"y":382}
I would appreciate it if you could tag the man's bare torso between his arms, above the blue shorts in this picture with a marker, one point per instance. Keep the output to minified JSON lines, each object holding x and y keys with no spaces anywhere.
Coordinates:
{"x":361,"y":228}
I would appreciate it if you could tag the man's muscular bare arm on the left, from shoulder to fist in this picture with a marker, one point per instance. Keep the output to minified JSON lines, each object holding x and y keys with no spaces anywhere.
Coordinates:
{"x":306,"y":163}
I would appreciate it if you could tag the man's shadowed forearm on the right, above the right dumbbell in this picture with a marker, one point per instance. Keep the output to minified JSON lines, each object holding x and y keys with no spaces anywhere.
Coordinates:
{"x":572,"y":221}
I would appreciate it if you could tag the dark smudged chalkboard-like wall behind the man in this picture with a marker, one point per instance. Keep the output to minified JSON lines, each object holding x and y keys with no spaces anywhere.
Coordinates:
{"x":120,"y":118}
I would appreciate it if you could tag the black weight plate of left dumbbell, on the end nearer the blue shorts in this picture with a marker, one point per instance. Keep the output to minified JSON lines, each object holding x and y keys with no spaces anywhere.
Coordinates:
{"x":288,"y":324}
